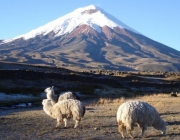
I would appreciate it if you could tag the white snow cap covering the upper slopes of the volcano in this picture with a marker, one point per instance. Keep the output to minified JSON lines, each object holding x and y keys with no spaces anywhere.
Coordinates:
{"x":91,"y":15}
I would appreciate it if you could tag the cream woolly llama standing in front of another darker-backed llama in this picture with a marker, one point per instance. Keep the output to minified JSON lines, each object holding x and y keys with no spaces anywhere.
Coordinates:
{"x":64,"y":110}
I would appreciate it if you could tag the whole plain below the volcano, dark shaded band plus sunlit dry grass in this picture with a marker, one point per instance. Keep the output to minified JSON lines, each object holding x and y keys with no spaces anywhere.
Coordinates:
{"x":101,"y":91}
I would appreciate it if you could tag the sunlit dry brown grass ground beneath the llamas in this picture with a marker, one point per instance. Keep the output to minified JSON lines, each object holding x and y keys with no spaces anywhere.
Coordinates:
{"x":99,"y":122}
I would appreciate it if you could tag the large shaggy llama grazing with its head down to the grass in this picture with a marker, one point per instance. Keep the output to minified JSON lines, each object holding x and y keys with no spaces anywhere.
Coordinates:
{"x":141,"y":113}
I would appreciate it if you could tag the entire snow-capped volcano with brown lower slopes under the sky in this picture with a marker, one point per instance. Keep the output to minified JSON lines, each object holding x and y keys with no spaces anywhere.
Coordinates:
{"x":89,"y":38}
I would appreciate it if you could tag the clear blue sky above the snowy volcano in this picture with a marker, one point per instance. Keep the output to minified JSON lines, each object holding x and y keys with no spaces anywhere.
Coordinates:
{"x":156,"y":19}
